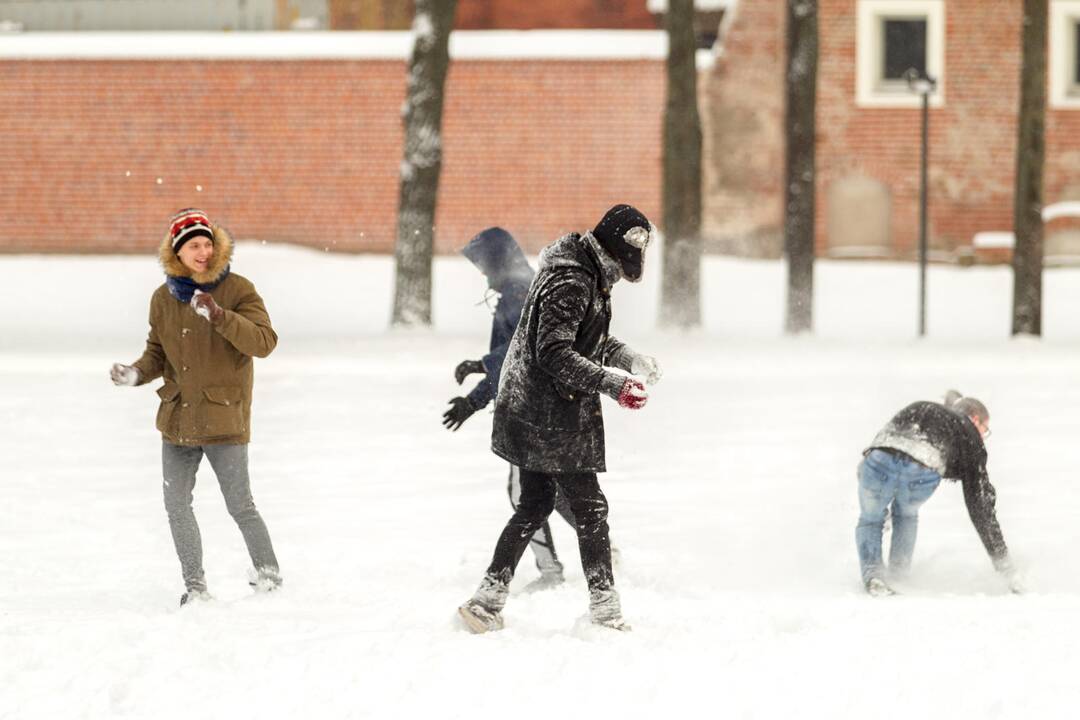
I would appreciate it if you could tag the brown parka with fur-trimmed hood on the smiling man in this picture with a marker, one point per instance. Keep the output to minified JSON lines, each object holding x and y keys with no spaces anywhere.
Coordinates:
{"x":207,"y":399}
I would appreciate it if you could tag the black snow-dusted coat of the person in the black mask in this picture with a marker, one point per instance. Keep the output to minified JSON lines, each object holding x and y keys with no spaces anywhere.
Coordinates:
{"x":548,"y":411}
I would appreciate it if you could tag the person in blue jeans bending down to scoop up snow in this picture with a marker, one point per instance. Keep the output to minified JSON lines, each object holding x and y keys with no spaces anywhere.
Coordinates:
{"x":904,"y":466}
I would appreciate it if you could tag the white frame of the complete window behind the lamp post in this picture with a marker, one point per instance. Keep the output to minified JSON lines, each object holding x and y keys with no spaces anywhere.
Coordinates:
{"x":870,"y":17}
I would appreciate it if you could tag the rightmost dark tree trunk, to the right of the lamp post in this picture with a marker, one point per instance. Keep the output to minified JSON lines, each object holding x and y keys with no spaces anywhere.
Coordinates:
{"x":1031,"y":152}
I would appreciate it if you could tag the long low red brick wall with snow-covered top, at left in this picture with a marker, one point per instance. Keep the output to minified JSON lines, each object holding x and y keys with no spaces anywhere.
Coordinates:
{"x":308,"y":152}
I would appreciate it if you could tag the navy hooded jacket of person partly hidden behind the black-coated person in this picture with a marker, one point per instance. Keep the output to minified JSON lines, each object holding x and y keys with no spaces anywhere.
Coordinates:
{"x":495,"y":254}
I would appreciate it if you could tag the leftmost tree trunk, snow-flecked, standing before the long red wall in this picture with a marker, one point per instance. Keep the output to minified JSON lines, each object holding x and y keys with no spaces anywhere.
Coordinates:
{"x":423,"y":161}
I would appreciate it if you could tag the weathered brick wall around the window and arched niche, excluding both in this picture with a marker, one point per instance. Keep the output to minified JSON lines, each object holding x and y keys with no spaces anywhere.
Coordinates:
{"x":973,"y":138}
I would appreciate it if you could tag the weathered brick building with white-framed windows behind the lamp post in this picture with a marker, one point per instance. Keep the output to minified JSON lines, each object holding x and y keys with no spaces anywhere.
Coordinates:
{"x":869,"y":123}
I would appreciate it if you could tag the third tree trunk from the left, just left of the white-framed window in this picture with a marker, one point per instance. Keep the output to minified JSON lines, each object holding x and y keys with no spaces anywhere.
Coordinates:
{"x":802,"y":89}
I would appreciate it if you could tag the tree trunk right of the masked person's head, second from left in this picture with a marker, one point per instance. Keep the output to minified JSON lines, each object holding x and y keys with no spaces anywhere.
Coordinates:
{"x":681,"y":286}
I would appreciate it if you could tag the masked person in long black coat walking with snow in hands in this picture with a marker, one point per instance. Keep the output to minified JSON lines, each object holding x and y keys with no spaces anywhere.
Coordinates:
{"x":548,"y":418}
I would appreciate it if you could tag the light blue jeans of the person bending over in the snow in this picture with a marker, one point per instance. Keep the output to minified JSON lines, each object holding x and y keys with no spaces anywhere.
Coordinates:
{"x":890,"y":483}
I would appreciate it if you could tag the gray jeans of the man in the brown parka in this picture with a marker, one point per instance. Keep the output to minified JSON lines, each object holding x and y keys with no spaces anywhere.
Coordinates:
{"x":229,"y":463}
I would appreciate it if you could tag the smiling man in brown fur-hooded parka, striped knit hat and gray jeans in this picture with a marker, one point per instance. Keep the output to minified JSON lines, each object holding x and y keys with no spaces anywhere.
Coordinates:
{"x":207,"y":324}
